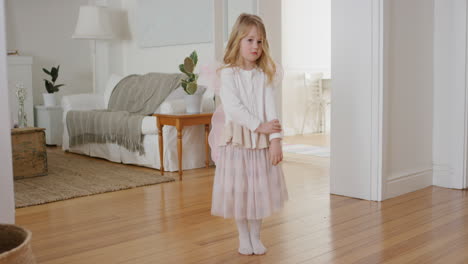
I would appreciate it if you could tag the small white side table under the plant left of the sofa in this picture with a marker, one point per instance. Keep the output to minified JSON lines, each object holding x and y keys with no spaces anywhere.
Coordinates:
{"x":50,"y":118}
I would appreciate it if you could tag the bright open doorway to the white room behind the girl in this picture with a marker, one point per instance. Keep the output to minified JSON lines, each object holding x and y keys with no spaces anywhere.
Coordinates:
{"x":306,"y":87}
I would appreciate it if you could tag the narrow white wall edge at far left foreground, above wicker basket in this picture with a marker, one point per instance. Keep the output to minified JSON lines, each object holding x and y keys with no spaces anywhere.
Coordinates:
{"x":7,"y":205}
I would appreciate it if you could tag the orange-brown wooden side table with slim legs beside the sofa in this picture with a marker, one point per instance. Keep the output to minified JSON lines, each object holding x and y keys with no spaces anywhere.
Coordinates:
{"x":179,"y":120}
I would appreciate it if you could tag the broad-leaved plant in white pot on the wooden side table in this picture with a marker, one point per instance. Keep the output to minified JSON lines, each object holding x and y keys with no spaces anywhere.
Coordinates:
{"x":194,"y":92}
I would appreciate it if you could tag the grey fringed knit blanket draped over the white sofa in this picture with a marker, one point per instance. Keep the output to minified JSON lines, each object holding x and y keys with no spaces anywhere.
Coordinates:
{"x":133,"y":98}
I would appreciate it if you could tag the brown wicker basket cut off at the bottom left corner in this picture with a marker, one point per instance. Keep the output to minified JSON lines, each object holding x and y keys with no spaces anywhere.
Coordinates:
{"x":15,"y":245}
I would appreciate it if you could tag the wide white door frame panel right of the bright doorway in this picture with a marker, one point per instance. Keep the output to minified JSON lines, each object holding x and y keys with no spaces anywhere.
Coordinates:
{"x":356,"y":169}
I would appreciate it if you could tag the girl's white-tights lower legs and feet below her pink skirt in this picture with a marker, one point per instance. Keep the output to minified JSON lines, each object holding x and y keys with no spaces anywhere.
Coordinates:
{"x":249,"y":240}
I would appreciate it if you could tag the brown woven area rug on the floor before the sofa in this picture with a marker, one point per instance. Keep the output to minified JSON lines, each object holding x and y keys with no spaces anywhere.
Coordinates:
{"x":72,"y":175}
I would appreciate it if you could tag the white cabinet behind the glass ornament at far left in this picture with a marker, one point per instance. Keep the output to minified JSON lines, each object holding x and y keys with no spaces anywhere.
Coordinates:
{"x":19,"y":72}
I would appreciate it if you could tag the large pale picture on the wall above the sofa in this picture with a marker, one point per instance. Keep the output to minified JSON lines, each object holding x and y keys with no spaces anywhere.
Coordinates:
{"x":176,"y":22}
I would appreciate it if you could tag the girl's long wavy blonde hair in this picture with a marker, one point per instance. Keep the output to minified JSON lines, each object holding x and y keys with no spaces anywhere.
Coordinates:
{"x":240,"y":29}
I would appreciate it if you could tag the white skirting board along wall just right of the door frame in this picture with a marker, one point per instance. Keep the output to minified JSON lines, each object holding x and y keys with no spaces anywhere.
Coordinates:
{"x":408,"y":183}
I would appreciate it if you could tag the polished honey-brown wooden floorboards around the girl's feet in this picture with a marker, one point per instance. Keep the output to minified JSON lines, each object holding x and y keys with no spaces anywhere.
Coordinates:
{"x":171,"y":223}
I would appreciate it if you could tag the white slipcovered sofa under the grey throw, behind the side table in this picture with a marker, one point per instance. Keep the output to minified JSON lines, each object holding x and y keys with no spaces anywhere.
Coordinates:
{"x":193,"y":137}
